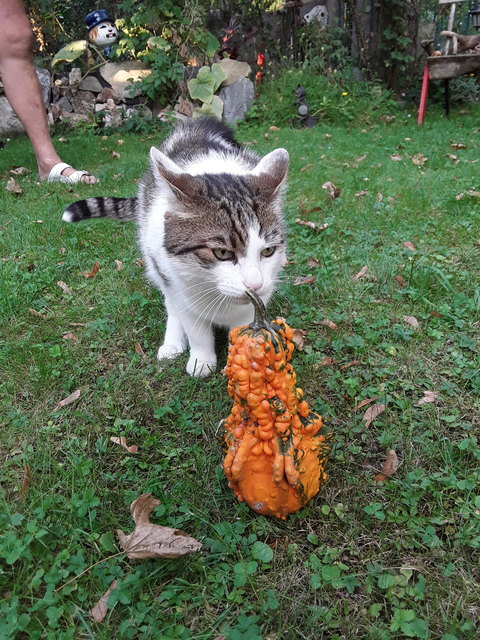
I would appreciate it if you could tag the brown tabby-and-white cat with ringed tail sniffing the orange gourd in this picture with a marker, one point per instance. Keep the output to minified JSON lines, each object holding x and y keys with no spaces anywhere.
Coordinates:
{"x":210,"y":225}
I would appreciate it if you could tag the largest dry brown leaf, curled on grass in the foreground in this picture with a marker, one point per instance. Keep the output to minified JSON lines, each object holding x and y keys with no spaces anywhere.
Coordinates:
{"x":153,"y":541}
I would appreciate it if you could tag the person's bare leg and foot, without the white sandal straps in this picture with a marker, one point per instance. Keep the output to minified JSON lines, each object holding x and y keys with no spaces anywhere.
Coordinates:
{"x":22,"y":86}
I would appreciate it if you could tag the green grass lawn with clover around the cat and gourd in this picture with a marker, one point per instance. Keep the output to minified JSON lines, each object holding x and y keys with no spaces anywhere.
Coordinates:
{"x":398,"y":559}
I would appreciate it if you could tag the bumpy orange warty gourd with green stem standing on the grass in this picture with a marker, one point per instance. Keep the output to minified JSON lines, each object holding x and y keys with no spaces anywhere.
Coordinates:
{"x":276,"y":447}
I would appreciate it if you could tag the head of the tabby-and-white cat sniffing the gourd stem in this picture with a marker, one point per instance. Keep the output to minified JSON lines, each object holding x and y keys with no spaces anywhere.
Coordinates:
{"x":226,"y":229}
